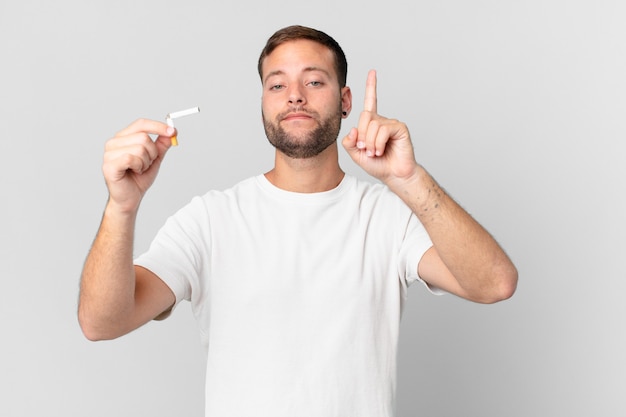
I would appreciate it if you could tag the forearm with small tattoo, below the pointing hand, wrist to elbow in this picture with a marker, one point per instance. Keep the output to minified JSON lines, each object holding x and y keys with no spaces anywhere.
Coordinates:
{"x":479,"y":265}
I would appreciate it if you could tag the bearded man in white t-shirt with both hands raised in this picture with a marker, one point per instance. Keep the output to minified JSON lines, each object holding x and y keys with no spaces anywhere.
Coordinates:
{"x":297,"y":276}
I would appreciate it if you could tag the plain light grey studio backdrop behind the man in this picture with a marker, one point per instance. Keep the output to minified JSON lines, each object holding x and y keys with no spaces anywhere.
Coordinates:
{"x":516,"y":107}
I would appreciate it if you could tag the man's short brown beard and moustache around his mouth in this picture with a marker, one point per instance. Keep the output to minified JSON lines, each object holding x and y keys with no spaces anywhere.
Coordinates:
{"x":307,"y":144}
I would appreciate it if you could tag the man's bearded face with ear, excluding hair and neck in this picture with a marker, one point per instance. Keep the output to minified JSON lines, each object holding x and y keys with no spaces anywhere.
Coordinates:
{"x":302,"y":100}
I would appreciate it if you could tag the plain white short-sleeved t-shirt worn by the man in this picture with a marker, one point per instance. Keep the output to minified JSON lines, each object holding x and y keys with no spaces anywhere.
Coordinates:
{"x":298,"y":296}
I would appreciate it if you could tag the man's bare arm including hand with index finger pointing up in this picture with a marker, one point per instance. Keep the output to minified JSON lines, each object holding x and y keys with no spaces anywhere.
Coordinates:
{"x":465,"y":259}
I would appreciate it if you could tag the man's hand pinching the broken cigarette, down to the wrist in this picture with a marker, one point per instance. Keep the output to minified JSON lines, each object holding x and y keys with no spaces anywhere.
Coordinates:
{"x":132,"y":160}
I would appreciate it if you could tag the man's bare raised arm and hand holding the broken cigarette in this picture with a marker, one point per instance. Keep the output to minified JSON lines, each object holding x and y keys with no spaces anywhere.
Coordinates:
{"x":116,"y":297}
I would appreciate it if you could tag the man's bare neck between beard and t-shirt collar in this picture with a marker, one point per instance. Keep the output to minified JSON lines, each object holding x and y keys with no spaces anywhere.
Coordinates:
{"x":310,"y":175}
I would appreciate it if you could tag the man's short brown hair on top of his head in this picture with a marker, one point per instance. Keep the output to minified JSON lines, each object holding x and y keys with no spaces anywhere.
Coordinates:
{"x":292,"y":33}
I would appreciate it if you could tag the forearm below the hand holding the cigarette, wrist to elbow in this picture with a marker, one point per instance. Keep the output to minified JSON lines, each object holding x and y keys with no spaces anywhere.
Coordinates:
{"x":107,"y":287}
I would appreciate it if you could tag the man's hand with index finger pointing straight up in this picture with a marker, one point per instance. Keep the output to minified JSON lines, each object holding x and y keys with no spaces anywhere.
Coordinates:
{"x":381,"y":146}
